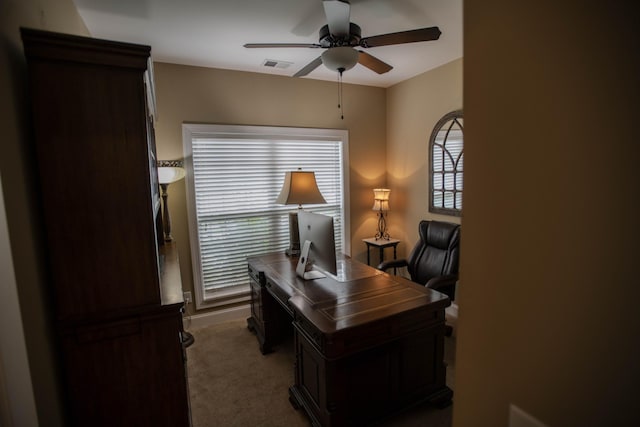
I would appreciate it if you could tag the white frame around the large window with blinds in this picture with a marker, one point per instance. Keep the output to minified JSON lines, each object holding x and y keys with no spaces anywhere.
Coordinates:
{"x":223,"y":297}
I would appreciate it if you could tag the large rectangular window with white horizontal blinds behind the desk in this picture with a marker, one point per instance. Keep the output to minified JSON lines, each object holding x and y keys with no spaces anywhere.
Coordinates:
{"x":234,"y":175}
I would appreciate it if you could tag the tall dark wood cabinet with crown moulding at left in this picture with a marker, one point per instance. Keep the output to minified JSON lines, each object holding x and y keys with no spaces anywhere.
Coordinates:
{"x":115,"y":286}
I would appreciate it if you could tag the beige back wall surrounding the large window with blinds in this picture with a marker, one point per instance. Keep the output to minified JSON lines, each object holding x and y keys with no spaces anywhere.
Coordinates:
{"x":202,"y":95}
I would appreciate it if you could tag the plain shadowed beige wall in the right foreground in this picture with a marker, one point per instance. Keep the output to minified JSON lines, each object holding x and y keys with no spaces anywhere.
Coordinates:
{"x":549,"y":276}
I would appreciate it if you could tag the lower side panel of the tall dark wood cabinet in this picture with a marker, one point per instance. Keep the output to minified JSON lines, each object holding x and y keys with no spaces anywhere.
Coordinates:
{"x":118,"y":371}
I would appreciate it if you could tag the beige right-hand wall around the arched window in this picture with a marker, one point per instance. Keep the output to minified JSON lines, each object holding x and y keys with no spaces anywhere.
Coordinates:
{"x":413,"y":108}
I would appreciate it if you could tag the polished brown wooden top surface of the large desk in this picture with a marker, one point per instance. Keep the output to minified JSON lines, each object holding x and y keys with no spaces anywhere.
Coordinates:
{"x":366,"y":296}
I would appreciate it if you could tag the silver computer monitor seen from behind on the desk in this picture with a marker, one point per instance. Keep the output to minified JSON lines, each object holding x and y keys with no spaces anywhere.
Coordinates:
{"x":317,"y":240}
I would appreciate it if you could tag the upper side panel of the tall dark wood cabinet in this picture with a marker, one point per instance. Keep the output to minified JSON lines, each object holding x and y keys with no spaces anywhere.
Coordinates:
{"x":93,"y":156}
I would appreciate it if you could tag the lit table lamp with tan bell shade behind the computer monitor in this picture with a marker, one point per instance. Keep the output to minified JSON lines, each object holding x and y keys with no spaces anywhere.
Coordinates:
{"x":299,"y":187}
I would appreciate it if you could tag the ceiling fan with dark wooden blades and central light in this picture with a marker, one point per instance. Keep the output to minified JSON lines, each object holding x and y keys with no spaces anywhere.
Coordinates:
{"x":341,"y":37}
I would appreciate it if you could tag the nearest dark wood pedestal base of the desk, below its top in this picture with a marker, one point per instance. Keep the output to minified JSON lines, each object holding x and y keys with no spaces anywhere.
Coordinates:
{"x":373,"y":378}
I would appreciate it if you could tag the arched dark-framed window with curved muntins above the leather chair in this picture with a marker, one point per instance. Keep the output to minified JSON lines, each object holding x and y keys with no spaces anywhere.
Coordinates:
{"x":446,"y":165}
